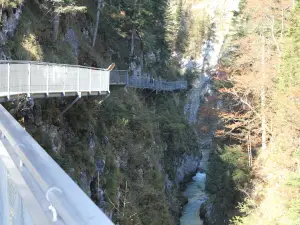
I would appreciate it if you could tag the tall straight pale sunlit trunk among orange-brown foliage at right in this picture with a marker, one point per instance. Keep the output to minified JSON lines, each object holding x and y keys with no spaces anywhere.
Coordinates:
{"x":263,"y":101}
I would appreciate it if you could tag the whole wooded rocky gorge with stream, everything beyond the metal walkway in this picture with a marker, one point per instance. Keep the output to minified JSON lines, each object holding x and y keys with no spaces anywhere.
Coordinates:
{"x":208,"y":154}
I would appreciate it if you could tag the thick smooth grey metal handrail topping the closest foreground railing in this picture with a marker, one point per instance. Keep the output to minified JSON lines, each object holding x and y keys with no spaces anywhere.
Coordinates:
{"x":48,"y":183}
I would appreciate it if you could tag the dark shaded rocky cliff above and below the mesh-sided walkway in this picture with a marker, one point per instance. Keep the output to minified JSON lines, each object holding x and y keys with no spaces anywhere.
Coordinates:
{"x":130,"y":152}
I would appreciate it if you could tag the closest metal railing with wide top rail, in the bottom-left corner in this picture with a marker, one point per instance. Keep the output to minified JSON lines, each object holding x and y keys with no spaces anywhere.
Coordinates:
{"x":33,"y":188}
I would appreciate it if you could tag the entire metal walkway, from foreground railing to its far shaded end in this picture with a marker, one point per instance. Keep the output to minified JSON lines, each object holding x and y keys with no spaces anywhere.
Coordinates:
{"x":34,"y":190}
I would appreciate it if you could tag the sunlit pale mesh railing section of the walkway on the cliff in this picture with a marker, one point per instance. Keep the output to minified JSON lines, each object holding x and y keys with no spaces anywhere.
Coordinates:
{"x":48,"y":79}
